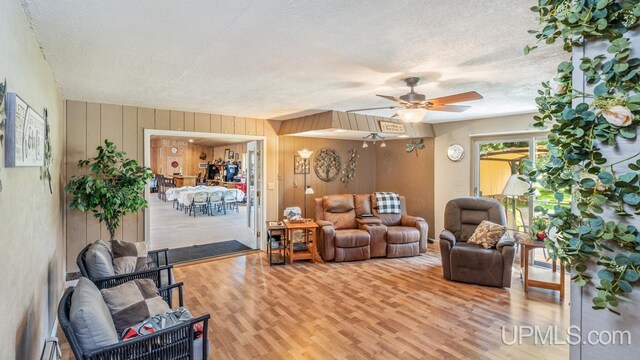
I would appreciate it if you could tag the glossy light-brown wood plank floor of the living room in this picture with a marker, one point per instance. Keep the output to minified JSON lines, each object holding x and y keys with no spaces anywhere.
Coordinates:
{"x":383,"y":309}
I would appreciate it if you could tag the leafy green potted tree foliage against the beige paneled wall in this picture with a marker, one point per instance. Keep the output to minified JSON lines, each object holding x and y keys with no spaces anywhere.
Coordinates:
{"x":112,"y":188}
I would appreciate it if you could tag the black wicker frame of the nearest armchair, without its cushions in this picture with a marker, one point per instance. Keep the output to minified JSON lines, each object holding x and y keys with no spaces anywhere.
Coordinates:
{"x":176,"y":342}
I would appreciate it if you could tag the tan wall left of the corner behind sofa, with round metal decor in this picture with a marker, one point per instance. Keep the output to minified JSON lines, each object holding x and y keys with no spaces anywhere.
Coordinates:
{"x":292,"y":185}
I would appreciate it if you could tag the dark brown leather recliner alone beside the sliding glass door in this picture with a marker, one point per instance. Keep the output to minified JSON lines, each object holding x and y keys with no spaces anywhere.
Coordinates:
{"x":472,"y":263}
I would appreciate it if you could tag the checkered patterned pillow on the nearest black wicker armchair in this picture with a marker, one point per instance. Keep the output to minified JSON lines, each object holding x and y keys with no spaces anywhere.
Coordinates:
{"x":132,"y":302}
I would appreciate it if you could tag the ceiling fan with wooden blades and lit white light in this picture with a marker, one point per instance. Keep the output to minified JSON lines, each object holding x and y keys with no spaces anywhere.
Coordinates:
{"x":412,"y":107}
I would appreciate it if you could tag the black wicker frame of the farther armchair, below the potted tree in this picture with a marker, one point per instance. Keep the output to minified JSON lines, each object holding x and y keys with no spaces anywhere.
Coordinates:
{"x":158,"y":261}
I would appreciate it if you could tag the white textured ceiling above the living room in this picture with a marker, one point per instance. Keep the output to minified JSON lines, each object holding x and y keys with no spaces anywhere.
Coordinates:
{"x":279,"y":59}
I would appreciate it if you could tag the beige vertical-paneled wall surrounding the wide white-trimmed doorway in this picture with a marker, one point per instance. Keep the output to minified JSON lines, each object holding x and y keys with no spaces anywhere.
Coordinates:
{"x":88,"y":124}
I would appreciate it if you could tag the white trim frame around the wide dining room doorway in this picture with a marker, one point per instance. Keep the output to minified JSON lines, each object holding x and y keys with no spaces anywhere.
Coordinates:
{"x":263,"y":149}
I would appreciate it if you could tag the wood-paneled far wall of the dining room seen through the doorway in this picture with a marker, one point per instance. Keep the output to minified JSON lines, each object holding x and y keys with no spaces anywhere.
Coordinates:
{"x":189,"y":155}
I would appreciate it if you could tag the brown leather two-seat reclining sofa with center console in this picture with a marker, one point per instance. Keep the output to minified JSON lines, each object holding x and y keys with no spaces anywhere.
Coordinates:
{"x":343,"y":236}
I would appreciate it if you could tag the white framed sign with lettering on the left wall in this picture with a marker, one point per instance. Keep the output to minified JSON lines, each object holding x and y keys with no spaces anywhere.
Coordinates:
{"x":25,"y":132}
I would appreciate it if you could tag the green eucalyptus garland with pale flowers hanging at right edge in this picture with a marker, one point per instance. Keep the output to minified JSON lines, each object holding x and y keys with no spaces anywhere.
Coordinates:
{"x":578,"y":135}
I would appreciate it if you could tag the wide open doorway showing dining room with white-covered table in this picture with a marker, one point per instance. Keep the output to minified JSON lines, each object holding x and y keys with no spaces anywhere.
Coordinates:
{"x":205,"y":197}
